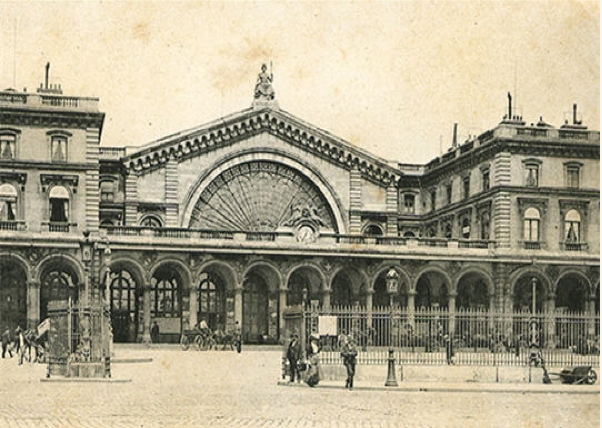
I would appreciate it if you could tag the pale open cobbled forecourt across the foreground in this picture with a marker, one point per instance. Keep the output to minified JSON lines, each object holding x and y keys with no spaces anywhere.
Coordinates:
{"x":225,"y":389}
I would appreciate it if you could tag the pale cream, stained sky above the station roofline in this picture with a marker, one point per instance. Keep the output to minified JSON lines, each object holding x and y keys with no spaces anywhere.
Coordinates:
{"x":389,"y":77}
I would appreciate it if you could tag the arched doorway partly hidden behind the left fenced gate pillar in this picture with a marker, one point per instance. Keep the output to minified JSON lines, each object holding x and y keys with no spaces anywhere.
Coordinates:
{"x":59,"y":282}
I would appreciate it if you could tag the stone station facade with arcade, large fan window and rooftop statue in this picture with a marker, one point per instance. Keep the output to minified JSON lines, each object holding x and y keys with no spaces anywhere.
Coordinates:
{"x":241,"y":219}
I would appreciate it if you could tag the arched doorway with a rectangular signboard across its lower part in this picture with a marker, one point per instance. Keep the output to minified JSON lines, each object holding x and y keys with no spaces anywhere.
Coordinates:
{"x":166,"y":289}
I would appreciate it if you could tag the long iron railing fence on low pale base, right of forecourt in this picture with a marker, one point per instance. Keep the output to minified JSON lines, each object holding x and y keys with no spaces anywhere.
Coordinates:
{"x":478,"y":337}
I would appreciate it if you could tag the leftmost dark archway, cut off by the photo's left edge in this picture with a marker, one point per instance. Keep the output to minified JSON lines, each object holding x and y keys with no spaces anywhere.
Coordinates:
{"x":13,"y":295}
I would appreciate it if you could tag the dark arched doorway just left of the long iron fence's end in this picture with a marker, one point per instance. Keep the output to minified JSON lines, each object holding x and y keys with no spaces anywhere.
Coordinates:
{"x":260,"y":305}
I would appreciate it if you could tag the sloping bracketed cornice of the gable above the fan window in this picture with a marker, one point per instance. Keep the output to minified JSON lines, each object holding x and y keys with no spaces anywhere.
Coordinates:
{"x":231,"y":129}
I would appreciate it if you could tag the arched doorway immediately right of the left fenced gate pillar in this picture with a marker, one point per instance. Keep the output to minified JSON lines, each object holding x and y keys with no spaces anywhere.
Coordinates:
{"x":125,"y":298}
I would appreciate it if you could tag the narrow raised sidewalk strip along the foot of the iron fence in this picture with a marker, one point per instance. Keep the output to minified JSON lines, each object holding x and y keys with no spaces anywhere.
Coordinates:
{"x":432,"y":386}
